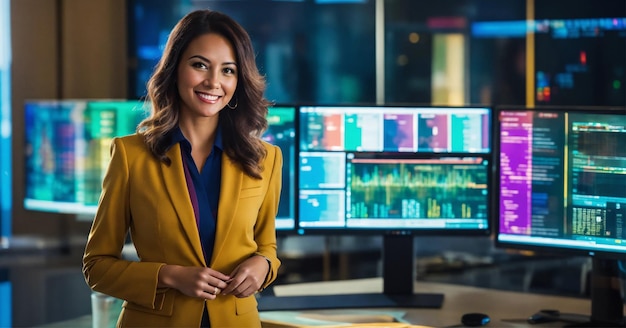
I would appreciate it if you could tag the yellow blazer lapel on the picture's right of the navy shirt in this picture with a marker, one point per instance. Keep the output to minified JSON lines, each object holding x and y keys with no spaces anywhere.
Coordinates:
{"x":232,"y":178}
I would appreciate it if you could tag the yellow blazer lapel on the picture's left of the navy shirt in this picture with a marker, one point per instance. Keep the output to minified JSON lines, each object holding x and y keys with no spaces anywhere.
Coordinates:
{"x":176,"y":185}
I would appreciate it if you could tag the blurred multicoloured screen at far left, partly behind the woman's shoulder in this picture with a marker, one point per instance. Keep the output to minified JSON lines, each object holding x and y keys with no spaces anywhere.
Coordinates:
{"x":67,"y":146}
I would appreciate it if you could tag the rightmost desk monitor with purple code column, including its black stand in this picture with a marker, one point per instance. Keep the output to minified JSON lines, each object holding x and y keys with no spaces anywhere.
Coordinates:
{"x":562,"y":189}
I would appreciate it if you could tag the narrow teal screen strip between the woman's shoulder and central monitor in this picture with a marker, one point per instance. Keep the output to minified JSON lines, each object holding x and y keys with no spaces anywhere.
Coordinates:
{"x":281,"y":132}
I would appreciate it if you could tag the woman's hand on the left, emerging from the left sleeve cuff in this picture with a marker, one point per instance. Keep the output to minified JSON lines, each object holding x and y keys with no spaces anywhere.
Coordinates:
{"x":199,"y":282}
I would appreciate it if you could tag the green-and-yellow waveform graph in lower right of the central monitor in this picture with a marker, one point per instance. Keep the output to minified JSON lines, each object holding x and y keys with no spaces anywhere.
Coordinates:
{"x":404,"y":191}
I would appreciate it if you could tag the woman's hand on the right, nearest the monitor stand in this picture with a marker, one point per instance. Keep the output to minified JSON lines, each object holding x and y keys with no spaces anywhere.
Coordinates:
{"x":247,"y":277}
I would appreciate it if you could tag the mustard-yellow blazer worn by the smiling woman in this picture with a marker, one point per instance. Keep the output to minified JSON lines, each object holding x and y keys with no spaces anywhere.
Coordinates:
{"x":150,"y":199}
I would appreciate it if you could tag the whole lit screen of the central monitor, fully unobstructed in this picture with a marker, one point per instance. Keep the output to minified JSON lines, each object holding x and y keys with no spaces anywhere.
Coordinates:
{"x":389,"y":169}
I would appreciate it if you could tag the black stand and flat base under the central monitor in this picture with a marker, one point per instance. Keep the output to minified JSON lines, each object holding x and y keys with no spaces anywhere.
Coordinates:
{"x":398,"y":282}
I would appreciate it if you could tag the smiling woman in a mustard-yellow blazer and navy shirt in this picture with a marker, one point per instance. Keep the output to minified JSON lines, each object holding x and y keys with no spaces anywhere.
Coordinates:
{"x":195,"y":186}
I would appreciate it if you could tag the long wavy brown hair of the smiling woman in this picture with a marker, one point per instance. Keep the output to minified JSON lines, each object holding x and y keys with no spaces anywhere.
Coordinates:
{"x":242,"y":127}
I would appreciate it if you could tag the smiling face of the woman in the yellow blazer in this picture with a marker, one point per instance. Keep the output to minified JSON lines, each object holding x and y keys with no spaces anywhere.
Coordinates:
{"x":207,"y":76}
